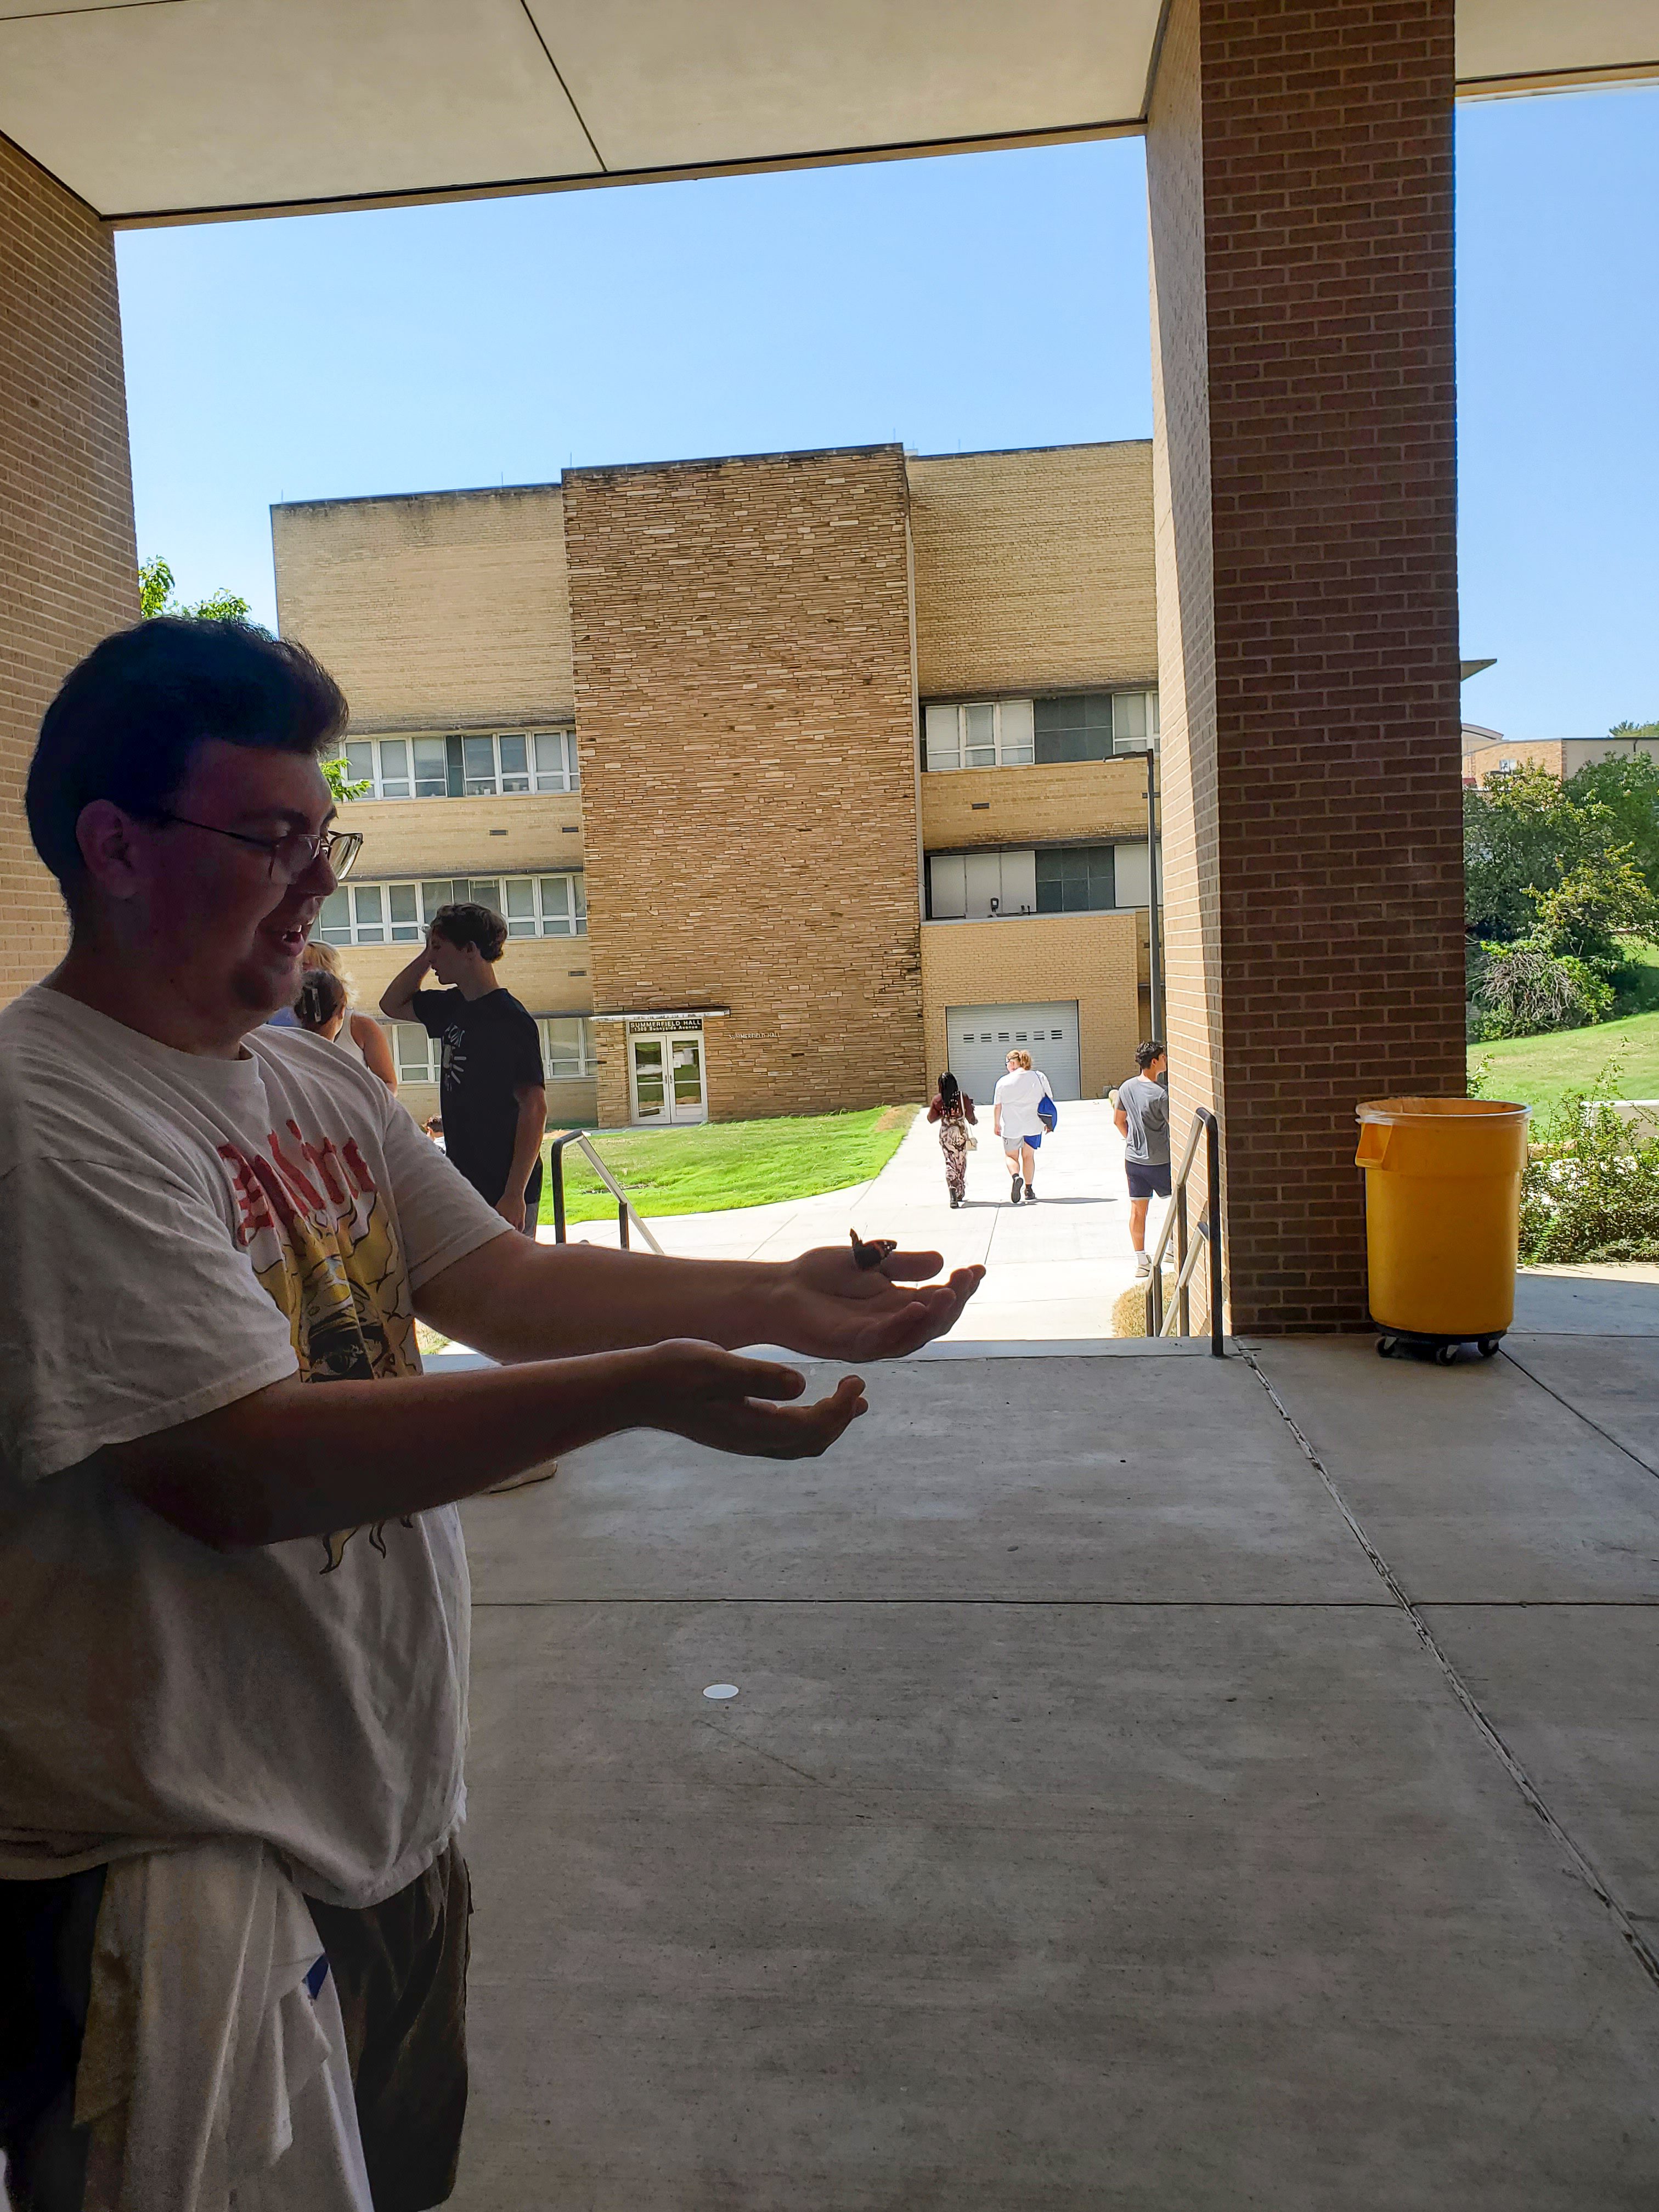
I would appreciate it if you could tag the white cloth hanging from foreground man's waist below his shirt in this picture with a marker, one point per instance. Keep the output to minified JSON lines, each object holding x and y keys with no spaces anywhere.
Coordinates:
{"x":213,"y":2072}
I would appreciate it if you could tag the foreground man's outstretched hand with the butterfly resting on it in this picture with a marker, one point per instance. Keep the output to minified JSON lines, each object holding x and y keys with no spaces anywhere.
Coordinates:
{"x":826,"y":1306}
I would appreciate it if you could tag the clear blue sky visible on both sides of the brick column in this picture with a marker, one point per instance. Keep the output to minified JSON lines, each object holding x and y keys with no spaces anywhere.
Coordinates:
{"x":972,"y":302}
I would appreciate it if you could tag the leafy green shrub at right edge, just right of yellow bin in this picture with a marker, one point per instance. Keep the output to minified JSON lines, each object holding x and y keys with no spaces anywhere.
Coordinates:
{"x":1592,"y":1189}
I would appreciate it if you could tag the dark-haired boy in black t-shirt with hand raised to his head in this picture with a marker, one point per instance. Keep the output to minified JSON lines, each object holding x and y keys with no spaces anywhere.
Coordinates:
{"x":494,"y":1098}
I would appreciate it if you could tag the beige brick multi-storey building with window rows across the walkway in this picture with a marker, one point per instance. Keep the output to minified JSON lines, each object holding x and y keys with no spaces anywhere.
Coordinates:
{"x":797,"y":778}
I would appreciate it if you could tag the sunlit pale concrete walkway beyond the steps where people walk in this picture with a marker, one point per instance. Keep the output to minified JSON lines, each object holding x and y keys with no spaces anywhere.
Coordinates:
{"x":1054,"y":1269}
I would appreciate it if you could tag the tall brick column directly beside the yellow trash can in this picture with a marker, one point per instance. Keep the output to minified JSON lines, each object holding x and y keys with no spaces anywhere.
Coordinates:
{"x":1300,"y":169}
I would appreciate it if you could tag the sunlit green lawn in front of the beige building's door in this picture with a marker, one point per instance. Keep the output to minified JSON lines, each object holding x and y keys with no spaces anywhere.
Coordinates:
{"x":702,"y":1171}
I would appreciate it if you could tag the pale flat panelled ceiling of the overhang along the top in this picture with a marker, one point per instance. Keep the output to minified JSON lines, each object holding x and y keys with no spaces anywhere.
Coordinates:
{"x":163,"y":109}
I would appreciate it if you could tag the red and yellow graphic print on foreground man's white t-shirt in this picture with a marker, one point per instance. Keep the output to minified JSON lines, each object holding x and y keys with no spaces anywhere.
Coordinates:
{"x":322,"y":1244}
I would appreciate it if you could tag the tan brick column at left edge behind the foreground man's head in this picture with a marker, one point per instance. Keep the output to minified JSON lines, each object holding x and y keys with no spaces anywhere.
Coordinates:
{"x":65,"y":505}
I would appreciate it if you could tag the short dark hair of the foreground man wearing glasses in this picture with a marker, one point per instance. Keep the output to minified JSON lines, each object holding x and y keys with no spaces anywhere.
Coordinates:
{"x":129,"y":718}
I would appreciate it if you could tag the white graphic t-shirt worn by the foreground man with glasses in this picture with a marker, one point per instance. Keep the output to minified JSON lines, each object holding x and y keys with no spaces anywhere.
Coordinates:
{"x":178,"y":1233}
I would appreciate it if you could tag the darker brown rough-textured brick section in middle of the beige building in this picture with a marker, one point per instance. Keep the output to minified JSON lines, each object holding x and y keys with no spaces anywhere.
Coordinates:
{"x":744,"y":700}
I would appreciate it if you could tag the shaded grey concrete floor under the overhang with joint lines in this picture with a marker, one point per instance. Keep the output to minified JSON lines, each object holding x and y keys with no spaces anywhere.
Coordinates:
{"x":1096,"y":1824}
